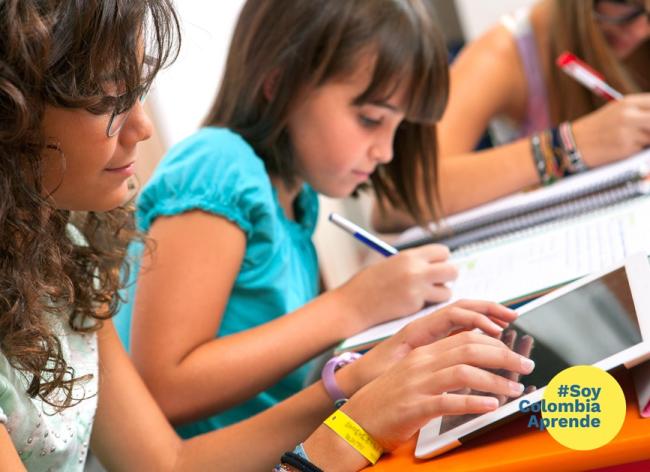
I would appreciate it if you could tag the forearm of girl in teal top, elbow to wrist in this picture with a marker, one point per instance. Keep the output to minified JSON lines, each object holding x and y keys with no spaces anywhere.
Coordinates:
{"x":229,"y":370}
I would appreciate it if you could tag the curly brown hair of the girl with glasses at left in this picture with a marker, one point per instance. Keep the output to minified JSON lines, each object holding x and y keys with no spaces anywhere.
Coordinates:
{"x":63,"y":54}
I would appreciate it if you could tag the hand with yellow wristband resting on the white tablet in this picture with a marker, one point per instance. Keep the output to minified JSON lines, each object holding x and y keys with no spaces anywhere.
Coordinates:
{"x":412,"y":392}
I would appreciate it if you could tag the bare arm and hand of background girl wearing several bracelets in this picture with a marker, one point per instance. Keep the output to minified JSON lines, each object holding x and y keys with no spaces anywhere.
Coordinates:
{"x":487,"y":80}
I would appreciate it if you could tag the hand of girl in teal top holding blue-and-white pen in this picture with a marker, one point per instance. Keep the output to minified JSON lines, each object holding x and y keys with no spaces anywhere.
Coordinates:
{"x":401,"y":284}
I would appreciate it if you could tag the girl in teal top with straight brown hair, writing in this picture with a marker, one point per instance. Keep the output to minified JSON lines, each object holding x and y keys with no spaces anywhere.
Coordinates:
{"x":317,"y":96}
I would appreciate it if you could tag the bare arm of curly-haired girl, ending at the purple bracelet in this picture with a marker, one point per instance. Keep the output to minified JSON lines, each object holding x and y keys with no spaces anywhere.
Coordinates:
{"x":131,"y":432}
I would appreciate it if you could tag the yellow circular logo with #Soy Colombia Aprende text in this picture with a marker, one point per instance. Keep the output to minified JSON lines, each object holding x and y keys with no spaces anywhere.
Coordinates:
{"x":583,"y":407}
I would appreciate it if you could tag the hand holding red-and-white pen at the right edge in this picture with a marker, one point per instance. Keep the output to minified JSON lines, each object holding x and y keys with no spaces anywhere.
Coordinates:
{"x":615,"y":131}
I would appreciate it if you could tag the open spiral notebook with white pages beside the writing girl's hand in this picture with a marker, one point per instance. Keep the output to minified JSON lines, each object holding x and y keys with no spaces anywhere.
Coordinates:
{"x":518,"y":265}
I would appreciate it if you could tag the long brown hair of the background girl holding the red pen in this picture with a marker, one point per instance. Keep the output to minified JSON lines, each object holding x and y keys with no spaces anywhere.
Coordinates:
{"x":575,"y":29}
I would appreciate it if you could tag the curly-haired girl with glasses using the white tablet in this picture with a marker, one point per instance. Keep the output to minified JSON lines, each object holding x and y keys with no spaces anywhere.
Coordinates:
{"x":70,"y":93}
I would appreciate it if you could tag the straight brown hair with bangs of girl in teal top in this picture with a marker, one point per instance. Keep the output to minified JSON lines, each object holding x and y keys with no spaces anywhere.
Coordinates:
{"x":303,"y":44}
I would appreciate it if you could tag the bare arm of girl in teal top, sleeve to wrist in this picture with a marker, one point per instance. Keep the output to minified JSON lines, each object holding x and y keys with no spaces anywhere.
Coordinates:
{"x":181,"y":296}
